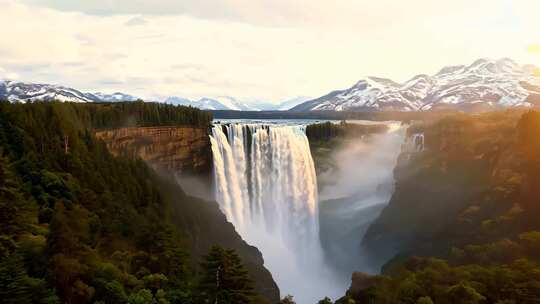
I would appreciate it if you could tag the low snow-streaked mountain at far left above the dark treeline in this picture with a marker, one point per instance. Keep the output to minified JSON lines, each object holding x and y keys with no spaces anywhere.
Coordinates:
{"x":30,"y":92}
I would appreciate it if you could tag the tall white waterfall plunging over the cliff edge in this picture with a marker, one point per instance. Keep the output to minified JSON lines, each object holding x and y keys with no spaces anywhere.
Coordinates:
{"x":267,"y":187}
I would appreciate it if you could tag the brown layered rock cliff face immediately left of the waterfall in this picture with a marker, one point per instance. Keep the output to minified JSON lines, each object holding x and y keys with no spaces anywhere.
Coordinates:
{"x":176,"y":149}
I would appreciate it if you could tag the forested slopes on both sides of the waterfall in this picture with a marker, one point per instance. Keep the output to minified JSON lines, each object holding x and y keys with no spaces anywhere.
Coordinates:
{"x":79,"y":225}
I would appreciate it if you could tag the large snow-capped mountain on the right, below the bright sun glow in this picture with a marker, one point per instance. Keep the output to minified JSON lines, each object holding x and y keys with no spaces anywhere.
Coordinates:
{"x":485,"y":84}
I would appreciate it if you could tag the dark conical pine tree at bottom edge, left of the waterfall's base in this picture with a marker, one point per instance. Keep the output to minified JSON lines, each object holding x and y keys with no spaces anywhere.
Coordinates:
{"x":225,"y":280}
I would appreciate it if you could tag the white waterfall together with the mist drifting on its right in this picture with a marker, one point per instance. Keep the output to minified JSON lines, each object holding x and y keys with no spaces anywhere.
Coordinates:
{"x":266,"y":185}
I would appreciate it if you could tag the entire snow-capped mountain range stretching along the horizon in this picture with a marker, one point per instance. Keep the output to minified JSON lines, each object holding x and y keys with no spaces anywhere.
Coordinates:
{"x":483,"y":85}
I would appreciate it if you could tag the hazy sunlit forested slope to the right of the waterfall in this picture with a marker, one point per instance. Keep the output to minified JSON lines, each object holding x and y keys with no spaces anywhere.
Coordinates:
{"x":465,"y":217}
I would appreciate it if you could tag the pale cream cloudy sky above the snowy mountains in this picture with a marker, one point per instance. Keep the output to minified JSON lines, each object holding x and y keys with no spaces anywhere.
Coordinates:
{"x":267,"y":50}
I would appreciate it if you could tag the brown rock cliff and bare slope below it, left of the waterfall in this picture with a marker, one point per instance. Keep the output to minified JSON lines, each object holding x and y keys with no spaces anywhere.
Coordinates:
{"x":186,"y":150}
